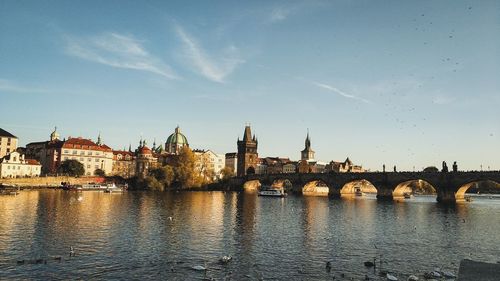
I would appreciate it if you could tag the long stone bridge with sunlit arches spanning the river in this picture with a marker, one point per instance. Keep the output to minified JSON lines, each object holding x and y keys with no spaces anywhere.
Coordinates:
{"x":450,"y":186}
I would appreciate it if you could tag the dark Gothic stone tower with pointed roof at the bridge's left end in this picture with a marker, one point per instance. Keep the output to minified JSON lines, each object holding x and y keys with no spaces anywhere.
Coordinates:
{"x":247,"y":153}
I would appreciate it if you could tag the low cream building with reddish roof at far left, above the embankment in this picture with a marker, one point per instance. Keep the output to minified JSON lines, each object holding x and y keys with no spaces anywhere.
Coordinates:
{"x":15,"y":165}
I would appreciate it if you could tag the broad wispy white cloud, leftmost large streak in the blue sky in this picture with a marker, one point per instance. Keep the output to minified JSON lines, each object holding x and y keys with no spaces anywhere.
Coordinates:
{"x":118,"y":51}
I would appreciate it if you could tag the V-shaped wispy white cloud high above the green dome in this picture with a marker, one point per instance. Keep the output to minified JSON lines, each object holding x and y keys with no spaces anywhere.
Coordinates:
{"x":205,"y":64}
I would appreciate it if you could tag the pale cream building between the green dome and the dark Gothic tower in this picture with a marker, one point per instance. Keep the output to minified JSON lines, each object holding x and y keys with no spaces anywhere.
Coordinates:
{"x":209,"y":164}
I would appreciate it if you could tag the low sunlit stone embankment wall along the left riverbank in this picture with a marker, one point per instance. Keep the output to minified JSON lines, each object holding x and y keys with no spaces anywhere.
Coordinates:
{"x":42,"y":182}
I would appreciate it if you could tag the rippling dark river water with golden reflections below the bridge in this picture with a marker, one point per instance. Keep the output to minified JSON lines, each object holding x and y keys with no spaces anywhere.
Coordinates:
{"x":148,"y":235}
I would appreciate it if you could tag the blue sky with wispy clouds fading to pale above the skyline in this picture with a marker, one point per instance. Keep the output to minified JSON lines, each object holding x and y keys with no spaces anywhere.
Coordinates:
{"x":405,"y":83}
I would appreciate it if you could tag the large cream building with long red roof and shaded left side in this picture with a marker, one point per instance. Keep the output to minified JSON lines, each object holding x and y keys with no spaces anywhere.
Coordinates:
{"x":53,"y":152}
